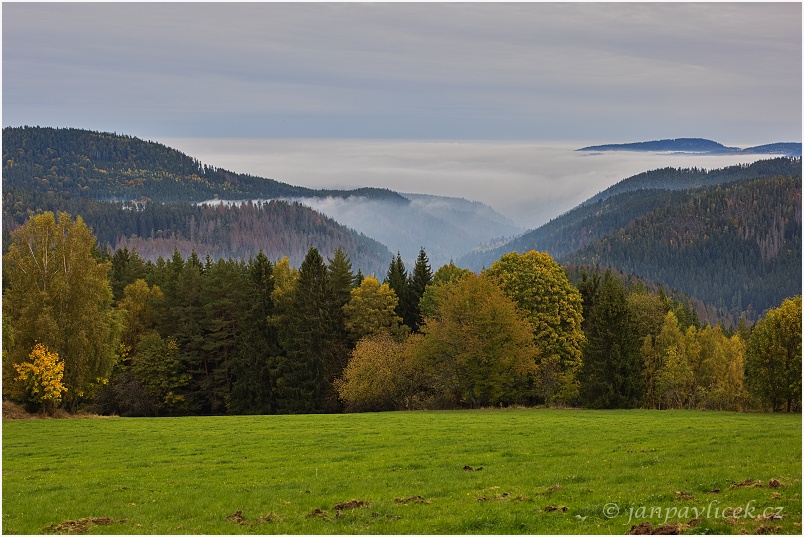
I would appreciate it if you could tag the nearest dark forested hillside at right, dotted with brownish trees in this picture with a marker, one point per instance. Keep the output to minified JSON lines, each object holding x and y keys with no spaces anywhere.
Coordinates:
{"x":736,"y":247}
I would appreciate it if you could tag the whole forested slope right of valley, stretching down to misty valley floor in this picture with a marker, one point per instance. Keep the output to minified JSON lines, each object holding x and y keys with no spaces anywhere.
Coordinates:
{"x":736,"y":246}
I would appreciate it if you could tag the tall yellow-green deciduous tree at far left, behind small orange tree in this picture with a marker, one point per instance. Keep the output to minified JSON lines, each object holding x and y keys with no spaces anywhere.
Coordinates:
{"x":57,"y":294}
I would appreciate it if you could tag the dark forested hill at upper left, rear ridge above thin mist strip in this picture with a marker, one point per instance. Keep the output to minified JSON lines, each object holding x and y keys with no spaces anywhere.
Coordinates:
{"x":112,"y":166}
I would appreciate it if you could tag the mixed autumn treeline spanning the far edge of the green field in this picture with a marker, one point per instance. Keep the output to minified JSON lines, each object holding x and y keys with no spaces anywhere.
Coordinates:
{"x":199,"y":336}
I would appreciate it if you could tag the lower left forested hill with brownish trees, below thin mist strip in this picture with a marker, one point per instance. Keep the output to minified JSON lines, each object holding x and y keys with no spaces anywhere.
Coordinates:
{"x":277,"y":228}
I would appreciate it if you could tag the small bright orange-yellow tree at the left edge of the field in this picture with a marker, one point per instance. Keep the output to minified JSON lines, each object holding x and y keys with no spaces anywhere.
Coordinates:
{"x":42,"y":377}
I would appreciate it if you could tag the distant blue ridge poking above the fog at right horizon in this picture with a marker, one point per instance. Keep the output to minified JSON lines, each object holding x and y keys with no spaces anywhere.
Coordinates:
{"x":700,"y":145}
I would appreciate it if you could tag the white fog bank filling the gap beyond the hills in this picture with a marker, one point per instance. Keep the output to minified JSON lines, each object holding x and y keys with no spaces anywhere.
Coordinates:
{"x":529,"y":182}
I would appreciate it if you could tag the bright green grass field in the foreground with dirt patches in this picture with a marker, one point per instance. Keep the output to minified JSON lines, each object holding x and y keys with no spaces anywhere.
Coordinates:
{"x":543,"y":471}
